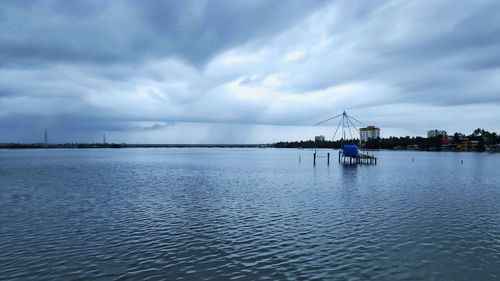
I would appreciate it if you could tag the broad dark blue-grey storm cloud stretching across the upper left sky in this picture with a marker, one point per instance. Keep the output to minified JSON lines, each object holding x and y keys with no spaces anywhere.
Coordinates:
{"x":110,"y":31}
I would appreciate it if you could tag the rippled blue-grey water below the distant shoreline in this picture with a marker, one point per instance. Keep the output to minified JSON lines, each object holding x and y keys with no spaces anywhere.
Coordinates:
{"x":249,"y":214}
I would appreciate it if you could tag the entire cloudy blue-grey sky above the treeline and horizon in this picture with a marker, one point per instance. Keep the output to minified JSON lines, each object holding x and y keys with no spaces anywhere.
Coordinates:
{"x":245,"y":71}
